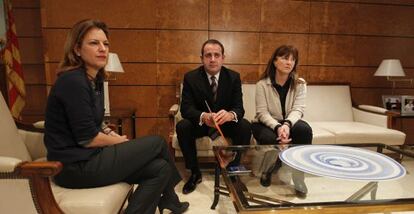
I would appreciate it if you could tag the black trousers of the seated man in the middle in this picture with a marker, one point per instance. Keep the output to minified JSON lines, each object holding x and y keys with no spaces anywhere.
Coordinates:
{"x":187,"y":132}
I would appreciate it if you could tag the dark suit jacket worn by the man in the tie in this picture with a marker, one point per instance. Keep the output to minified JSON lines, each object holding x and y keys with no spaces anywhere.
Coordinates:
{"x":196,"y":89}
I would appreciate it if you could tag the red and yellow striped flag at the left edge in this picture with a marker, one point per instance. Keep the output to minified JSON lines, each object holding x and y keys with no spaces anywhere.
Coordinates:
{"x":14,"y":72}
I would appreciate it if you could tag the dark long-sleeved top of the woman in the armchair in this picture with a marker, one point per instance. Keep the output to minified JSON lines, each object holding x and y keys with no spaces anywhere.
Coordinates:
{"x":74,"y":114}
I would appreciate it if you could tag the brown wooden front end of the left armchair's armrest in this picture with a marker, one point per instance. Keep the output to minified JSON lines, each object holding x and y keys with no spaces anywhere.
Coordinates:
{"x":42,"y":169}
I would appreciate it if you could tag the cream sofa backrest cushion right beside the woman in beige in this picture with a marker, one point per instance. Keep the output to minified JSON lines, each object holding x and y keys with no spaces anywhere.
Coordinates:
{"x":328,"y":103}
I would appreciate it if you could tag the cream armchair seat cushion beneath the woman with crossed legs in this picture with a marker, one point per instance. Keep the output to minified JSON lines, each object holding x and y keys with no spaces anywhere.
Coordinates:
{"x":102,"y":200}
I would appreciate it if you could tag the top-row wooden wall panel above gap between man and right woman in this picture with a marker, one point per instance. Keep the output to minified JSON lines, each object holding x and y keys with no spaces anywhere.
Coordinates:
{"x":235,"y":15}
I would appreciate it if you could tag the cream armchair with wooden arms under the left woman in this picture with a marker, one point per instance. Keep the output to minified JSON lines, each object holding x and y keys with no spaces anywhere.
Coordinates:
{"x":25,"y":181}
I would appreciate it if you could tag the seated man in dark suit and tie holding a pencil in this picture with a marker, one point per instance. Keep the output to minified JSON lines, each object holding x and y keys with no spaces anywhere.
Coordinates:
{"x":221,"y":88}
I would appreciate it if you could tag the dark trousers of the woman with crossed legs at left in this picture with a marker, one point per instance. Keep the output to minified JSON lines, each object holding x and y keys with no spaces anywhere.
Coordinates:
{"x":144,"y":161}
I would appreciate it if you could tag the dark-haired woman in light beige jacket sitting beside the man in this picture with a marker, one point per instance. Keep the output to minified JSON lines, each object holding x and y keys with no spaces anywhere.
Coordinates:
{"x":280,"y":105}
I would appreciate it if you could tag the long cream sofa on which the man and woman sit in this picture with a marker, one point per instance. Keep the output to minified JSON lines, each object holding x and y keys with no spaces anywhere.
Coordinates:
{"x":329,"y":112}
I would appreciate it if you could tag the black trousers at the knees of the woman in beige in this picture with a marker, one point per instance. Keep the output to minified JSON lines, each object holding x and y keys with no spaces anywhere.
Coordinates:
{"x":301,"y":133}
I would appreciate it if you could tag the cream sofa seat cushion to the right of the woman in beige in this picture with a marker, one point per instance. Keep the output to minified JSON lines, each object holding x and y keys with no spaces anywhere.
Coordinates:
{"x":356,"y":132}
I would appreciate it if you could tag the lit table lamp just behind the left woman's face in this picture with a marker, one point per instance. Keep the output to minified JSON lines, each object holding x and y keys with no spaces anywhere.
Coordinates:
{"x":113,"y":65}
